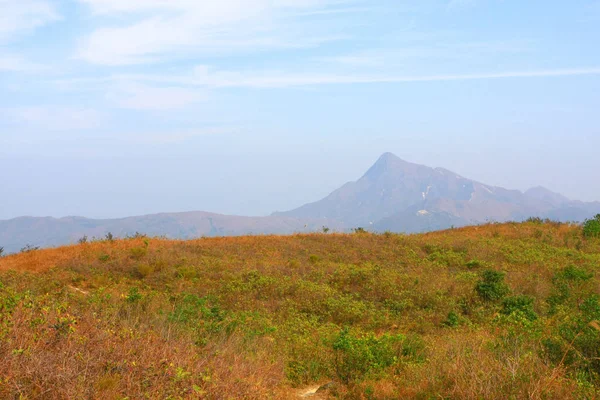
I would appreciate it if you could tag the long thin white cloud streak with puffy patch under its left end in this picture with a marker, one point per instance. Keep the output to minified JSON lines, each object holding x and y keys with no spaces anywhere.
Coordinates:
{"x":205,"y":78}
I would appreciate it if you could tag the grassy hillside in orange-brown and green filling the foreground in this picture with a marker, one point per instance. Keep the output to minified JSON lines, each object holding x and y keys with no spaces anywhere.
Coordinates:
{"x":498,"y":311}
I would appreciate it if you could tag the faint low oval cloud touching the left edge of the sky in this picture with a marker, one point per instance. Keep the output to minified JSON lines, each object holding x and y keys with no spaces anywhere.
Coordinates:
{"x":51,"y":118}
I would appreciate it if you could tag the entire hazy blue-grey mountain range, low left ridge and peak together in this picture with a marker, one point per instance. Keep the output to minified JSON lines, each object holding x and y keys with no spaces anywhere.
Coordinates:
{"x":393,"y":195}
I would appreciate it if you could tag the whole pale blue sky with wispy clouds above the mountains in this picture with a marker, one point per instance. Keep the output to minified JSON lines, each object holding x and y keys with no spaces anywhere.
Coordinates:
{"x":112,"y":108}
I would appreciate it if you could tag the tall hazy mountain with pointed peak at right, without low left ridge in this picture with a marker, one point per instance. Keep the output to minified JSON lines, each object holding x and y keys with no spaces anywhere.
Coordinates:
{"x":397,"y":195}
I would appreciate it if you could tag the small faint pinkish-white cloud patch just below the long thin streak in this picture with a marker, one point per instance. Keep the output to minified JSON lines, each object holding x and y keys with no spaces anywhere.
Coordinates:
{"x":143,"y":97}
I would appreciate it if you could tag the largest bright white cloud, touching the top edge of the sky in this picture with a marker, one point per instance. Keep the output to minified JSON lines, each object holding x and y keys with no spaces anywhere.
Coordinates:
{"x":188,"y":28}
